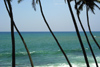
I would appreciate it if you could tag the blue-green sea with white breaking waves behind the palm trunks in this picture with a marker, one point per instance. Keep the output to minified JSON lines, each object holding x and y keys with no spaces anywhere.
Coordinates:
{"x":45,"y":51}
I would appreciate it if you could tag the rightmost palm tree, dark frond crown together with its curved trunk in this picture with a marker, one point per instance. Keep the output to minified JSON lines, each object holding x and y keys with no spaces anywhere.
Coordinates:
{"x":90,"y":4}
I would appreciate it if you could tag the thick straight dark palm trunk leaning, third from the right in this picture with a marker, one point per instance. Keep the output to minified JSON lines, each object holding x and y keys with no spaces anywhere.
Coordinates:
{"x":78,"y":34}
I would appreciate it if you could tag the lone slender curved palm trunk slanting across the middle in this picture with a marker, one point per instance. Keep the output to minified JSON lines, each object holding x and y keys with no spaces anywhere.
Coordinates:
{"x":53,"y":34}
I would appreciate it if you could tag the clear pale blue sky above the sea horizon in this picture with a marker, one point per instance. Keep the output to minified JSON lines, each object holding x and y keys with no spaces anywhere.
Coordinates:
{"x":56,"y":12}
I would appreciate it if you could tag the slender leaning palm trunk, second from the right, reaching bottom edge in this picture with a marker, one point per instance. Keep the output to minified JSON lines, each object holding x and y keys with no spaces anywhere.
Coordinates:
{"x":86,"y":35}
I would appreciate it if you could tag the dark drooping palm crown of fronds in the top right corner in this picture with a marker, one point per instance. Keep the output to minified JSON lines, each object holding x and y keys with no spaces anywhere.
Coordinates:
{"x":89,"y":3}
